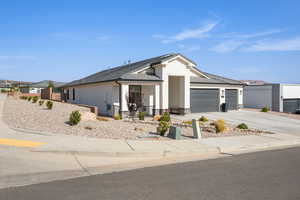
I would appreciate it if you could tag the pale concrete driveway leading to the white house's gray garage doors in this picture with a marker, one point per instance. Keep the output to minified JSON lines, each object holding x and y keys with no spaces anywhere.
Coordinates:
{"x":254,"y":119}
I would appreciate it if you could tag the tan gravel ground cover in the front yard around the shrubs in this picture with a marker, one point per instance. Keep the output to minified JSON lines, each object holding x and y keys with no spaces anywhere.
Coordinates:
{"x":26,"y":115}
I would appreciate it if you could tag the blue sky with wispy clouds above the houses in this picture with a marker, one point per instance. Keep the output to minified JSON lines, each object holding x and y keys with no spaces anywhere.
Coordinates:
{"x":66,"y":40}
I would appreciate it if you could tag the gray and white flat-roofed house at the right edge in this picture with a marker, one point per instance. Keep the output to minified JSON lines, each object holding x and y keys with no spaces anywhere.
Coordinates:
{"x":277,"y":97}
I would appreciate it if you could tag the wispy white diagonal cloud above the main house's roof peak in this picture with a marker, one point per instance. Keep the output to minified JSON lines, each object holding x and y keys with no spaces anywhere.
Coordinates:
{"x":197,"y":33}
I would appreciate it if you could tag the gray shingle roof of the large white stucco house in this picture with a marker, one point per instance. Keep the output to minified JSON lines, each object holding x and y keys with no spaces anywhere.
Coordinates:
{"x":124,"y":72}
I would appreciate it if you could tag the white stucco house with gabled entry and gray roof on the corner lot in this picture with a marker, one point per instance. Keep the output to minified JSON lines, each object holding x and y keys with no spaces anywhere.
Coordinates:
{"x":166,"y":83}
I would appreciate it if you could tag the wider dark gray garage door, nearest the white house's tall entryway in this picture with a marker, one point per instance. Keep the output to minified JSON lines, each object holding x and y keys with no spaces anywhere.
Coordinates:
{"x":204,"y":100}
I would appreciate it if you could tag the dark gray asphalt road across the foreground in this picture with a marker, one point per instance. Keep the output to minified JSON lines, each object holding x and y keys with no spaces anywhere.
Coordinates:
{"x":264,"y":175}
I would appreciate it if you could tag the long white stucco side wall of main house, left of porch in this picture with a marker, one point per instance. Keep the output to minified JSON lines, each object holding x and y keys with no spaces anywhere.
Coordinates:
{"x":100,"y":95}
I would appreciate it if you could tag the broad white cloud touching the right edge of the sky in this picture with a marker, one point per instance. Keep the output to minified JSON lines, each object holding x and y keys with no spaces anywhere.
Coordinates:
{"x":292,"y":44}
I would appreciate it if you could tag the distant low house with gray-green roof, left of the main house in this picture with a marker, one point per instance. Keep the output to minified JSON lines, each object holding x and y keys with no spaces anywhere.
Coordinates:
{"x":35,"y":88}
